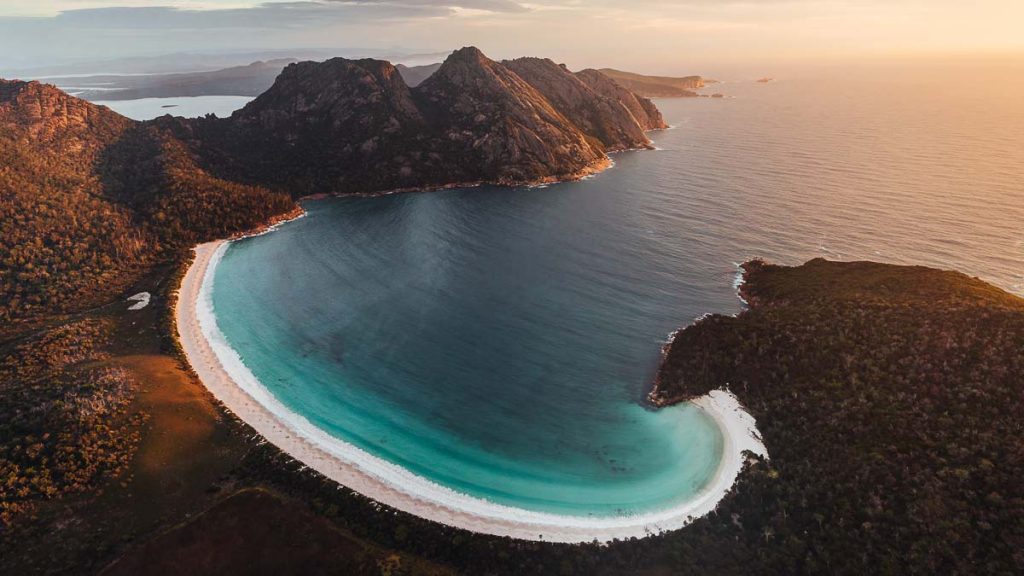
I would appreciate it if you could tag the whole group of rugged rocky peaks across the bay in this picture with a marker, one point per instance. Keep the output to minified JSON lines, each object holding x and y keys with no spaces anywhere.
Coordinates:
{"x":357,"y":128}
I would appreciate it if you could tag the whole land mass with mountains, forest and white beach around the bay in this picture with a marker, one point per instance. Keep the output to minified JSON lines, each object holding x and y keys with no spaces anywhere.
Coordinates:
{"x":889,"y":398}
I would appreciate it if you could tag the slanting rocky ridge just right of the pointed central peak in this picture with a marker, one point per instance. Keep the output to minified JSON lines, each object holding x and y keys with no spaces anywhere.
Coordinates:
{"x":601,"y":117}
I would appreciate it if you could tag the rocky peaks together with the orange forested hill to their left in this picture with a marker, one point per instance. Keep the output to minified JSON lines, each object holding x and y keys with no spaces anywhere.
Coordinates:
{"x":90,"y":195}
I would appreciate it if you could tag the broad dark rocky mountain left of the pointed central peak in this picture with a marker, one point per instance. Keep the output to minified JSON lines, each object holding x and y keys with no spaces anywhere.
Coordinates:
{"x":338,"y":127}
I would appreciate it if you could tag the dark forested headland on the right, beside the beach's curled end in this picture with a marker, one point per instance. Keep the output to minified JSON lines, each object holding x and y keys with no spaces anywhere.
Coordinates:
{"x":890,"y":400}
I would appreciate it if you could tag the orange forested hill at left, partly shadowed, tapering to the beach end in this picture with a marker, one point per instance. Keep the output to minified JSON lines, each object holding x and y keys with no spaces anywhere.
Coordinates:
{"x":88,"y":198}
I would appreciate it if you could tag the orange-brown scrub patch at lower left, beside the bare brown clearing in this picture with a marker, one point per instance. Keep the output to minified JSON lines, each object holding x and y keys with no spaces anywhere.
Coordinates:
{"x":65,"y":422}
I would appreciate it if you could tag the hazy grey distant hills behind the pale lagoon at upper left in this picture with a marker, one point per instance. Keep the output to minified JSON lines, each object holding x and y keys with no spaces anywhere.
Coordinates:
{"x":249,"y":80}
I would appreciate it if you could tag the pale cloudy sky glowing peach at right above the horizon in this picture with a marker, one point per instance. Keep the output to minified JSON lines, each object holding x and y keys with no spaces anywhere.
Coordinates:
{"x":650,"y":36}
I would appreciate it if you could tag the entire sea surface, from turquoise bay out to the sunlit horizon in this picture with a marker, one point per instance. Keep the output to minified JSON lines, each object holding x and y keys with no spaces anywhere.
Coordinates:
{"x":500,"y":342}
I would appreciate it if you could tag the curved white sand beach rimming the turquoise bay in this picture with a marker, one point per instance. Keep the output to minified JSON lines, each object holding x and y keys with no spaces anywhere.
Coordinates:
{"x":228,"y":379}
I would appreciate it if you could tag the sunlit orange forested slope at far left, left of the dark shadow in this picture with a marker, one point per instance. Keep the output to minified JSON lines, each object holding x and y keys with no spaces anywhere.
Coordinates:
{"x":60,"y":236}
